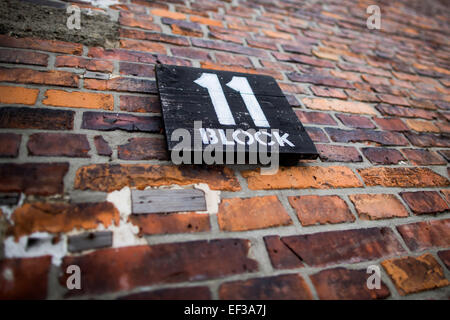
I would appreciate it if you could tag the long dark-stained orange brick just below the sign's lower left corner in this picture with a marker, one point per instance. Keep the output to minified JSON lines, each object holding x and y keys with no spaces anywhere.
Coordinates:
{"x":109,"y":177}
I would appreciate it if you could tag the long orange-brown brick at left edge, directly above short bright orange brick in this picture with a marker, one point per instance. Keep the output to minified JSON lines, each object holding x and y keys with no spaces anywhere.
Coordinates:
{"x":57,"y":78}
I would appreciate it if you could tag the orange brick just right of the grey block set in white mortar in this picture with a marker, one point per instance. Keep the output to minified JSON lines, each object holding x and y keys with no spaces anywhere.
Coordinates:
{"x":237,"y":214}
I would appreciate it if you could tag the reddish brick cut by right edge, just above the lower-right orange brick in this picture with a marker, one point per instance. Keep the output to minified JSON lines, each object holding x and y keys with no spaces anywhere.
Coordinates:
{"x":420,"y":236}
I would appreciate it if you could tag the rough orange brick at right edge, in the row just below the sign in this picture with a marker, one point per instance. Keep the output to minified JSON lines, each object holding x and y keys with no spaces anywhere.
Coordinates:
{"x":402,"y":177}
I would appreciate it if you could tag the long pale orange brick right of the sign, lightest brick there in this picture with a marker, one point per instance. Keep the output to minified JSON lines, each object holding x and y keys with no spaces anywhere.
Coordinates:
{"x":338,"y":105}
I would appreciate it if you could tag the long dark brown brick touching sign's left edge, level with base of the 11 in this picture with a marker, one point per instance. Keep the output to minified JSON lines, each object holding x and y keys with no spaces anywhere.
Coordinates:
{"x":120,"y":121}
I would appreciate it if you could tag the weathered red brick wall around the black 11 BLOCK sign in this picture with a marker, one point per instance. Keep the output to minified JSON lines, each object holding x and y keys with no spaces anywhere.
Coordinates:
{"x":80,"y":123}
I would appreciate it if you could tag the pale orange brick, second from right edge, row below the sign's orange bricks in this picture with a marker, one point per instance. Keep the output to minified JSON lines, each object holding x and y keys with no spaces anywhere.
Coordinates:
{"x":378,"y":206}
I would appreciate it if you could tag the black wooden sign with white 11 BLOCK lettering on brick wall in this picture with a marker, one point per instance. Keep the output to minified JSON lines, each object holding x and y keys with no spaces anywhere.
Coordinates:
{"x":229,"y":113}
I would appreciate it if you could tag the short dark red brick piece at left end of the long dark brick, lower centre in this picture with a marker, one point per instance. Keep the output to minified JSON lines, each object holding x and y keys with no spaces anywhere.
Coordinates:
{"x":280,"y":255}
